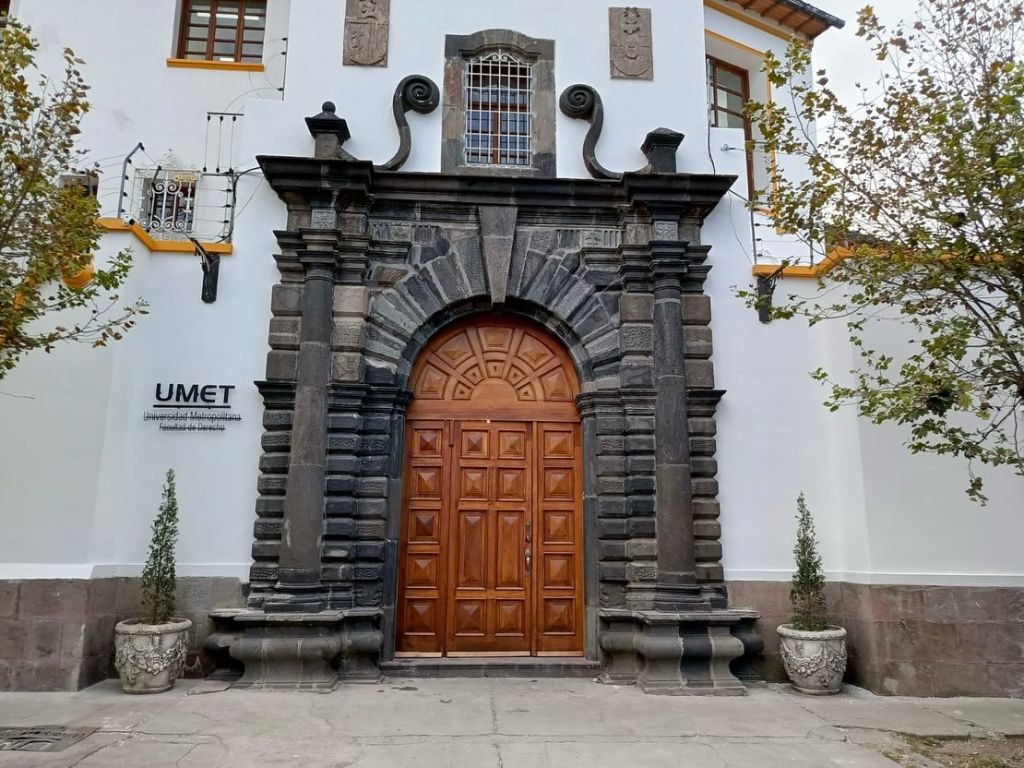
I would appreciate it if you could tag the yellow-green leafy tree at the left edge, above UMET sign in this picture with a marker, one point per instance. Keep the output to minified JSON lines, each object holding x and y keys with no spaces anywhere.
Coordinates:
{"x":50,"y":289}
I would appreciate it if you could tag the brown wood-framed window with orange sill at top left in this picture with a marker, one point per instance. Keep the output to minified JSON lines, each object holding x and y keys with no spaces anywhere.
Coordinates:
{"x":223,"y":30}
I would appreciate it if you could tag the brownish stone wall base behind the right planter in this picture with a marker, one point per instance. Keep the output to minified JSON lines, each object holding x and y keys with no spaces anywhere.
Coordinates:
{"x":910,"y":641}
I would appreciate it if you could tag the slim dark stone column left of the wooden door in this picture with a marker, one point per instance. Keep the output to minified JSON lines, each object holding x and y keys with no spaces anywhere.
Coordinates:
{"x":303,"y":527}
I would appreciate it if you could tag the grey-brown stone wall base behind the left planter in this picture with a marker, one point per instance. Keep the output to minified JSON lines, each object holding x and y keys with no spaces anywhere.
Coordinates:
{"x":59,"y":634}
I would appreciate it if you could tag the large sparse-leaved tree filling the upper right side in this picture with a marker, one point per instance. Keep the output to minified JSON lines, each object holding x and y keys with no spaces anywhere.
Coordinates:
{"x":924,"y":181}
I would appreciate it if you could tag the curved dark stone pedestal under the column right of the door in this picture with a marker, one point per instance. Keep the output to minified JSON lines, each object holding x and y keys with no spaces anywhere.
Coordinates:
{"x":676,"y":653}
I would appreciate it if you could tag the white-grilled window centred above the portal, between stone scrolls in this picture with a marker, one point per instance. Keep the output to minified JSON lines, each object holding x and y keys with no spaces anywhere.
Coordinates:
{"x":499,"y":103}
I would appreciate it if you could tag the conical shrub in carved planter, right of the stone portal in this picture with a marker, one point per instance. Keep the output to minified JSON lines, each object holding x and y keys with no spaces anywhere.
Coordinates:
{"x":814,"y":651}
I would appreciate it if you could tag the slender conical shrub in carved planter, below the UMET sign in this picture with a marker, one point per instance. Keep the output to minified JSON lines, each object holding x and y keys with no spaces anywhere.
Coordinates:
{"x":151,"y":652}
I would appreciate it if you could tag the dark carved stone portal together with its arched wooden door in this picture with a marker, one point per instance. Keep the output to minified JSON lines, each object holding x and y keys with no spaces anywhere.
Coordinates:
{"x":610,"y":277}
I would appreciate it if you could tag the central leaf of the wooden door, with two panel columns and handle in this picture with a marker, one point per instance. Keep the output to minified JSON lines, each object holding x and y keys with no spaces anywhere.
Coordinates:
{"x":490,"y":607}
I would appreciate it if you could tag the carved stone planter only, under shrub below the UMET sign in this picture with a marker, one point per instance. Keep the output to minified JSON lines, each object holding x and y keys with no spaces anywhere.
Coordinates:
{"x":148,"y":657}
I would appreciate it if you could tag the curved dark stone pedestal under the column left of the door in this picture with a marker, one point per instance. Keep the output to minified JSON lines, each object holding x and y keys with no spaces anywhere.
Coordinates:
{"x":312,"y":652}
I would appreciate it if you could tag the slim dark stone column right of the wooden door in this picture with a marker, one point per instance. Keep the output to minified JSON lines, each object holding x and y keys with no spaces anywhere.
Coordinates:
{"x":677,"y":588}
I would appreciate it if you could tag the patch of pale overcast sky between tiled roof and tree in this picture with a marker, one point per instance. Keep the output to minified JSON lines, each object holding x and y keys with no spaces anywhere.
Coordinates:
{"x":843,"y":54}
